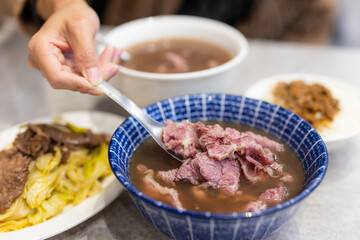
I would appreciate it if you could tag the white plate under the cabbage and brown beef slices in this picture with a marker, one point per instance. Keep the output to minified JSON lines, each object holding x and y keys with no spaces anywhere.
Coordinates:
{"x":71,"y":216}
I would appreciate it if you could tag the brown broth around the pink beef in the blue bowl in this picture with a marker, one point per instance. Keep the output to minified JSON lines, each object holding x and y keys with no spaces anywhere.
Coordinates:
{"x":152,"y":156}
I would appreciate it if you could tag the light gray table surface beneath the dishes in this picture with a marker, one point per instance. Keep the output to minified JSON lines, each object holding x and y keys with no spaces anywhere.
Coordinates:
{"x":332,"y":211}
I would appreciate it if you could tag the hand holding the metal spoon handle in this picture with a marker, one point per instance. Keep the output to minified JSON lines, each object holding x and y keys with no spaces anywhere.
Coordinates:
{"x":63,"y":50}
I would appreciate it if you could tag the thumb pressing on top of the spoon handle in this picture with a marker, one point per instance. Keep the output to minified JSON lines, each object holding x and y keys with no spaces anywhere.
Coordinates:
{"x":82,"y":41}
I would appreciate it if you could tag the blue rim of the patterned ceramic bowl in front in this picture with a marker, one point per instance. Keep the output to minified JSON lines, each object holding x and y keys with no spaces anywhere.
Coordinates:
{"x":234,"y":215}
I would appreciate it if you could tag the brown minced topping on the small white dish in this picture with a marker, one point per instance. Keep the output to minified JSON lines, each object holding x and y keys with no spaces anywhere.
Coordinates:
{"x":313,"y":102}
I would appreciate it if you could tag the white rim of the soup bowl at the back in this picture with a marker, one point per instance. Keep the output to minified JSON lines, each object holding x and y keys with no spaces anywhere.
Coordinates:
{"x":238,"y":36}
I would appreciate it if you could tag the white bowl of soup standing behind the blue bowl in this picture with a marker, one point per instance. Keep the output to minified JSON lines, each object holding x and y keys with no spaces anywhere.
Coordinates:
{"x":145,"y":88}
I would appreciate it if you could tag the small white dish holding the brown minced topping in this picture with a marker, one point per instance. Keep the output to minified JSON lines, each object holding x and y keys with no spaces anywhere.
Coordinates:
{"x":346,"y":123}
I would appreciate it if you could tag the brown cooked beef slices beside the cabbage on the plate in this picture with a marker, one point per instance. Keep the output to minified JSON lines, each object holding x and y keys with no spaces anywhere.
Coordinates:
{"x":29,"y":145}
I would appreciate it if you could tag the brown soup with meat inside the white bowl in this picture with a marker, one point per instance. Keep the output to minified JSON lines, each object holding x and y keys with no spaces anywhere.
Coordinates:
{"x":175,"y":56}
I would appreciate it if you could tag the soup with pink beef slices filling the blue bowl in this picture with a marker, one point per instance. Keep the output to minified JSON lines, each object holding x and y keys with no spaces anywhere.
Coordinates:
{"x":228,"y":168}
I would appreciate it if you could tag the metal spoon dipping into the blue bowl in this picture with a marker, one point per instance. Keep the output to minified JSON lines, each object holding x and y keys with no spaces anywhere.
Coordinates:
{"x":153,"y":127}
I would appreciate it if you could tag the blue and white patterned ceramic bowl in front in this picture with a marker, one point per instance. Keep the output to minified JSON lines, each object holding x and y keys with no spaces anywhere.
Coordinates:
{"x":178,"y":224}
